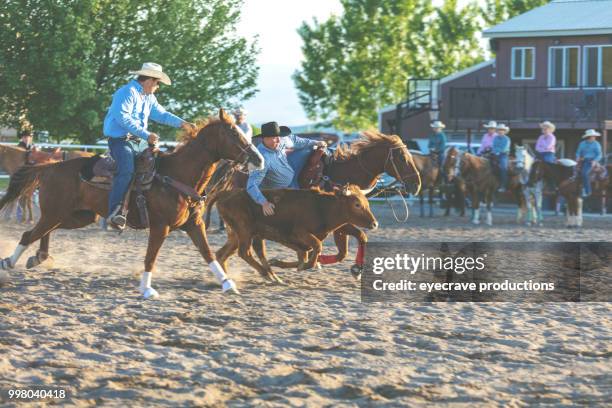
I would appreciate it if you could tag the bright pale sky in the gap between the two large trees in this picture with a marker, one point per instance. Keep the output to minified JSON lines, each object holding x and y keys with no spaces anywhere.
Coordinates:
{"x":276,"y":23}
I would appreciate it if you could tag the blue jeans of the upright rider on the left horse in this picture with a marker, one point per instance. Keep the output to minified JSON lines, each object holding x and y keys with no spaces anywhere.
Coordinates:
{"x":123,"y":153}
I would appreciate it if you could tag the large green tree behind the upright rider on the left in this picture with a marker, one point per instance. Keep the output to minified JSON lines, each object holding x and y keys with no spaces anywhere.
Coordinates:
{"x":61,"y":61}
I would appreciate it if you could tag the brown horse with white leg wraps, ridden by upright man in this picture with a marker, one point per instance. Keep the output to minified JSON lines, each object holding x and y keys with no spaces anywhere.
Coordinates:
{"x":68,"y":202}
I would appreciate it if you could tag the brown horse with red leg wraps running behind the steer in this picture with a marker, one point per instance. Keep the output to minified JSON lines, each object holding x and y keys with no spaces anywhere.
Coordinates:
{"x":361,"y":165}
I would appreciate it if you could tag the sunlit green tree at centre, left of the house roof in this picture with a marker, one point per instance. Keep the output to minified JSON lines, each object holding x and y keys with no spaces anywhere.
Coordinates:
{"x":360,"y":61}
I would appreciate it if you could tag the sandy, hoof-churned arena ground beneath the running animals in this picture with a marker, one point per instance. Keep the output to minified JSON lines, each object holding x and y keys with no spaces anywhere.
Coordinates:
{"x":81,"y":324}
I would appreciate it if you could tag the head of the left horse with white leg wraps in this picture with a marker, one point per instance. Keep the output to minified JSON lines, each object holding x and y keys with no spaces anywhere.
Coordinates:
{"x":230,"y":143}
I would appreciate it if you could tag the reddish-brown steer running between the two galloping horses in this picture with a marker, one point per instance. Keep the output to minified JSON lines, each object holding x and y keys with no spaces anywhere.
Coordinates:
{"x":301,"y":220}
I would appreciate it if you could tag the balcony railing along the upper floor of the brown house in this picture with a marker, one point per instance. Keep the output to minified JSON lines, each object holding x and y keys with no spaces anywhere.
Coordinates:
{"x":571,"y":105}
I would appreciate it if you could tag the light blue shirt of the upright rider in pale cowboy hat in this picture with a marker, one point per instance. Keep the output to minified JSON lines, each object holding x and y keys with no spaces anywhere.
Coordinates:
{"x":130,"y":111}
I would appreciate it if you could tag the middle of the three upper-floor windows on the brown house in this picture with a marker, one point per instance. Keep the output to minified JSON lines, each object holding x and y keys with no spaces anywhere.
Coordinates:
{"x":563,"y":67}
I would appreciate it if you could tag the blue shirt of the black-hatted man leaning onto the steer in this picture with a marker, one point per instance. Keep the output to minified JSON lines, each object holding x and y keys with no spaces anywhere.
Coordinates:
{"x":277,"y":173}
